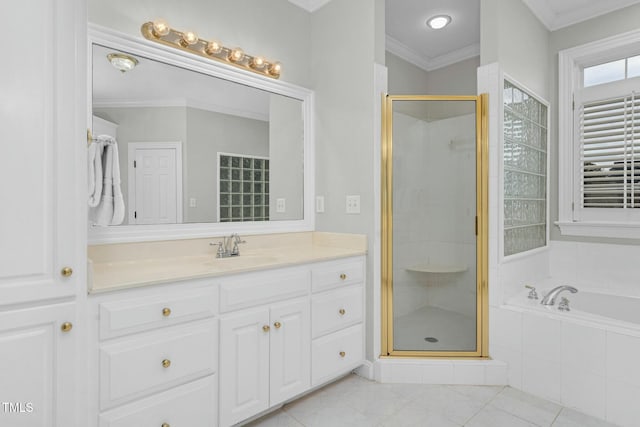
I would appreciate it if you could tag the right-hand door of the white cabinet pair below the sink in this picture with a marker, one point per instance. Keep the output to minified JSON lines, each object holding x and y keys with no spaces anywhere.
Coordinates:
{"x":290,"y":355}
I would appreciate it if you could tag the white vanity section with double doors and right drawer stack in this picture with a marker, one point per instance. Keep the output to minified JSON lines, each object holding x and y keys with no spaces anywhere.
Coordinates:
{"x":285,"y":331}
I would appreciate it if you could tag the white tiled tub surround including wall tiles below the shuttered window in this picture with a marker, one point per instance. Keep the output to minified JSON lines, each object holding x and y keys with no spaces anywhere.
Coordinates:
{"x":586,"y":361}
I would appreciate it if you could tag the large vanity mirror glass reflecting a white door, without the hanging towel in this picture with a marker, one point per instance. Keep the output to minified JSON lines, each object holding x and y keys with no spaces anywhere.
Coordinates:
{"x":195,"y":148}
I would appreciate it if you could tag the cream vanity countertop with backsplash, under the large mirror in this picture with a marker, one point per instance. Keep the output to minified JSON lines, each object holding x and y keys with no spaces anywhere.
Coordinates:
{"x":124,"y":265}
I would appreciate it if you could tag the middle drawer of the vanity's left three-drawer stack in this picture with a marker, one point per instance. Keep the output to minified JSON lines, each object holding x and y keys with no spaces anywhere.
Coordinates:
{"x":144,"y":364}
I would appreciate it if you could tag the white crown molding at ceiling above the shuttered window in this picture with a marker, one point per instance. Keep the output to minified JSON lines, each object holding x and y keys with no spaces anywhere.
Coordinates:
{"x":555,"y":21}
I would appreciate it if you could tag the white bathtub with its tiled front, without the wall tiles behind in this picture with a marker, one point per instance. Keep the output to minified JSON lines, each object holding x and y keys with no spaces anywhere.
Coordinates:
{"x":585,"y":358}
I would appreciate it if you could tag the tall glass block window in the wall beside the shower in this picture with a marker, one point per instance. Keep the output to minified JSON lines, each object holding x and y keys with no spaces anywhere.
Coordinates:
{"x":525,"y":171}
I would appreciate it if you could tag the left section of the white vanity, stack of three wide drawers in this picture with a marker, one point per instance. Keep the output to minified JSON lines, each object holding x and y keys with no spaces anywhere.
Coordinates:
{"x":156,"y":356}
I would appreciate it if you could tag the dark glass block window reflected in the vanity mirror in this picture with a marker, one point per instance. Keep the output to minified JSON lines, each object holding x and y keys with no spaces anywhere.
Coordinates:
{"x":243,"y":188}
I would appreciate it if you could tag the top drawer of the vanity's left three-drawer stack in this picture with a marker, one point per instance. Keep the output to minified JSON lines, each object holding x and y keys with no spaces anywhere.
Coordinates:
{"x":119,"y":318}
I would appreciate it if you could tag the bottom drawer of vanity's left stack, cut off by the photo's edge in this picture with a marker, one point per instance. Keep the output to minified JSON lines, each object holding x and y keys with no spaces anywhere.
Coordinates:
{"x":192,"y":404}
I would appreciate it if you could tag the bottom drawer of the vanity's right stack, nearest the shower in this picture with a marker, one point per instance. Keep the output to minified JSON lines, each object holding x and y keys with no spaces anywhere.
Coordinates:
{"x":336,"y":354}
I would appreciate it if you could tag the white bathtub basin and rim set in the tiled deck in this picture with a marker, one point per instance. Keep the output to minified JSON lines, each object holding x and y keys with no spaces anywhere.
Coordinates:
{"x":587,"y":305}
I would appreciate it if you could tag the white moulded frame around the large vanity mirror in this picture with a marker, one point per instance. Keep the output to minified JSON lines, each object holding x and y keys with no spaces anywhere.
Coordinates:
{"x":142,"y":47}
